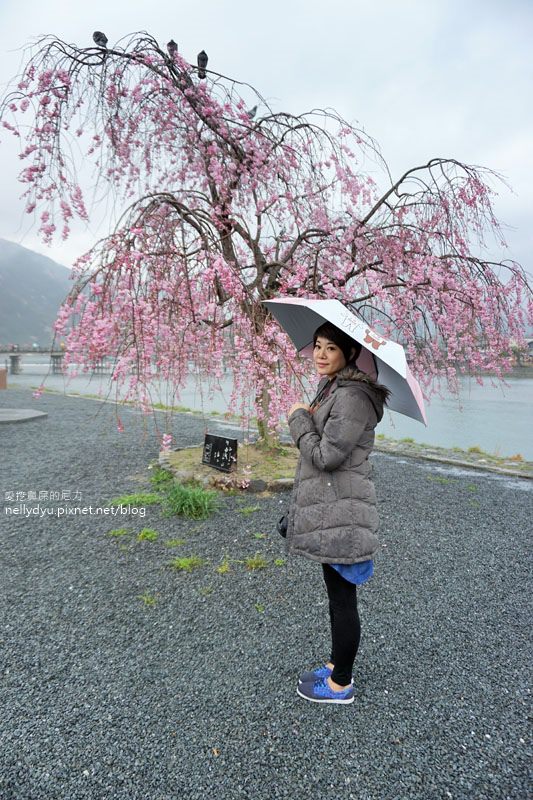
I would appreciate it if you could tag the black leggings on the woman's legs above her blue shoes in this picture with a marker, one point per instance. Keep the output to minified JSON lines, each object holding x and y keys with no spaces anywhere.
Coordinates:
{"x":345,"y":624}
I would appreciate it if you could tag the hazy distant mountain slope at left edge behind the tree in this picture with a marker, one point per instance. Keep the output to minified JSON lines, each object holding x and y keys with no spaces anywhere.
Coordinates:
{"x":32,"y":287}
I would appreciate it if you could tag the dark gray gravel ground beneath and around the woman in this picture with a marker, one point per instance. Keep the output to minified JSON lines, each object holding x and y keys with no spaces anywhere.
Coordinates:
{"x":104,"y":696}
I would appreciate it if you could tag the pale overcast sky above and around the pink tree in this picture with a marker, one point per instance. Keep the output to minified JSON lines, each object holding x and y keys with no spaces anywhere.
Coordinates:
{"x":425,"y":78}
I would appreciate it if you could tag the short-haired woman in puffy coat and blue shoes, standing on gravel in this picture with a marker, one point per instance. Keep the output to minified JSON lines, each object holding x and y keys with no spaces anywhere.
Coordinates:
{"x":332,"y":515}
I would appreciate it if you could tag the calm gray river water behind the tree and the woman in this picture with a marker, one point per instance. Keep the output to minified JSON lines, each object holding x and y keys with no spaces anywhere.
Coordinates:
{"x":496,"y":418}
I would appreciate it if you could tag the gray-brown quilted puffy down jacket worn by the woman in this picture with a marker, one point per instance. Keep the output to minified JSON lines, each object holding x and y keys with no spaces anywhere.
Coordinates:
{"x":332,"y":514}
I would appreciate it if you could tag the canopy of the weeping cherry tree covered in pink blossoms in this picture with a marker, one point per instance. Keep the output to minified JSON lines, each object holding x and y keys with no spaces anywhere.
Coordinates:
{"x":227,"y":205}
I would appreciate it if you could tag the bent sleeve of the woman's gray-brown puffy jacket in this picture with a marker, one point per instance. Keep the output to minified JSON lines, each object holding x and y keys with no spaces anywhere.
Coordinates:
{"x":350,"y":413}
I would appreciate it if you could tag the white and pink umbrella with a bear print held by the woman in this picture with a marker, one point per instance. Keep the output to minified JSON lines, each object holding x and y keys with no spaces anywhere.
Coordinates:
{"x":381,"y":358}
